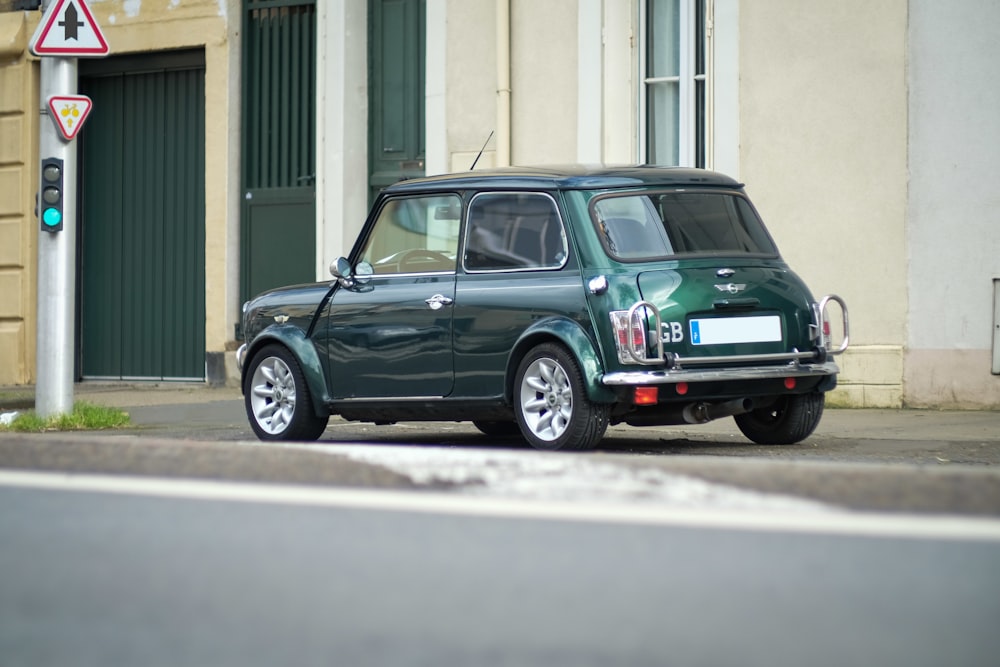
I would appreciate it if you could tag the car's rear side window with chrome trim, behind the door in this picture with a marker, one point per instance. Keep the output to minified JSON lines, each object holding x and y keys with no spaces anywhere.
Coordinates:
{"x":514,"y":231}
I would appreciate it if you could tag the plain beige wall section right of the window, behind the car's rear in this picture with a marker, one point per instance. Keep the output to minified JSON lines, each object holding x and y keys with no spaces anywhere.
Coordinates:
{"x":823,"y":130}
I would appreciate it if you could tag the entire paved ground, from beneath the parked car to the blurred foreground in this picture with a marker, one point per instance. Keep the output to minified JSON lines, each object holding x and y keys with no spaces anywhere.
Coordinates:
{"x":182,"y":541}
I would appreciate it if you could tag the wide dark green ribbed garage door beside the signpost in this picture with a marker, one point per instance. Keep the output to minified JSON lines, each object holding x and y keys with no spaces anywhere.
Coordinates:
{"x":141,"y":258}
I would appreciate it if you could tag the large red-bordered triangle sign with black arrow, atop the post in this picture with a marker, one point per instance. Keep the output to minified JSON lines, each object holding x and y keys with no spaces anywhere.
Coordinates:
{"x":69,"y":29}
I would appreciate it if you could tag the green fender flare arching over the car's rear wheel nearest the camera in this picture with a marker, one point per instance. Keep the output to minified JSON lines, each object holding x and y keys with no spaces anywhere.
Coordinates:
{"x":581,"y":345}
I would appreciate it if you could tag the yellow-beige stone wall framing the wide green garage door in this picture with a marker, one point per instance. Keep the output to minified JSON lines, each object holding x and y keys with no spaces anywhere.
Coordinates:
{"x":130,"y":27}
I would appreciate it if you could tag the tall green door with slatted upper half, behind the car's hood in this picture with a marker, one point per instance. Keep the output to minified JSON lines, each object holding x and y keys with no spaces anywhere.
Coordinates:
{"x":278,"y":220}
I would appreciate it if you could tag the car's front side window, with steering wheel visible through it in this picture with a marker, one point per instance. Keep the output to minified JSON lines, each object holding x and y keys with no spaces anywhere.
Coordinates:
{"x":416,"y":234}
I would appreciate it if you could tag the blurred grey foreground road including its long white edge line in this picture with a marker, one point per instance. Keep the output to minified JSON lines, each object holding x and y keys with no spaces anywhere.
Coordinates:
{"x":168,"y":575}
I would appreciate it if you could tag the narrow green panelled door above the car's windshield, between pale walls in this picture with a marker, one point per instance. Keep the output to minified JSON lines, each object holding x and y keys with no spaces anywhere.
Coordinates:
{"x":397,"y":33}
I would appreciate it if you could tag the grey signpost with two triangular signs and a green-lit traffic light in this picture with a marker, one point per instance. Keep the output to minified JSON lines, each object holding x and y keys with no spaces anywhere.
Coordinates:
{"x":67,"y":31}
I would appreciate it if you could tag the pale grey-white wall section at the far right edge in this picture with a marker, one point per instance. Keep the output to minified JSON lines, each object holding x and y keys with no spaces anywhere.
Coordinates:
{"x":953,"y":207}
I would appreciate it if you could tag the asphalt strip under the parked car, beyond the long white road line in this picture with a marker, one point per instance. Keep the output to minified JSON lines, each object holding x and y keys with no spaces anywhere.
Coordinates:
{"x":881,"y":460}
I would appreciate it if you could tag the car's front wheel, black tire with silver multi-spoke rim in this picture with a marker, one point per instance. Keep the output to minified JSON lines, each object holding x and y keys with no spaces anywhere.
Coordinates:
{"x":277,"y":398}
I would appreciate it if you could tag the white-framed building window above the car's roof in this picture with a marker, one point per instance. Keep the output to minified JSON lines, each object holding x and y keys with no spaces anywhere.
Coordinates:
{"x":674,"y":82}
